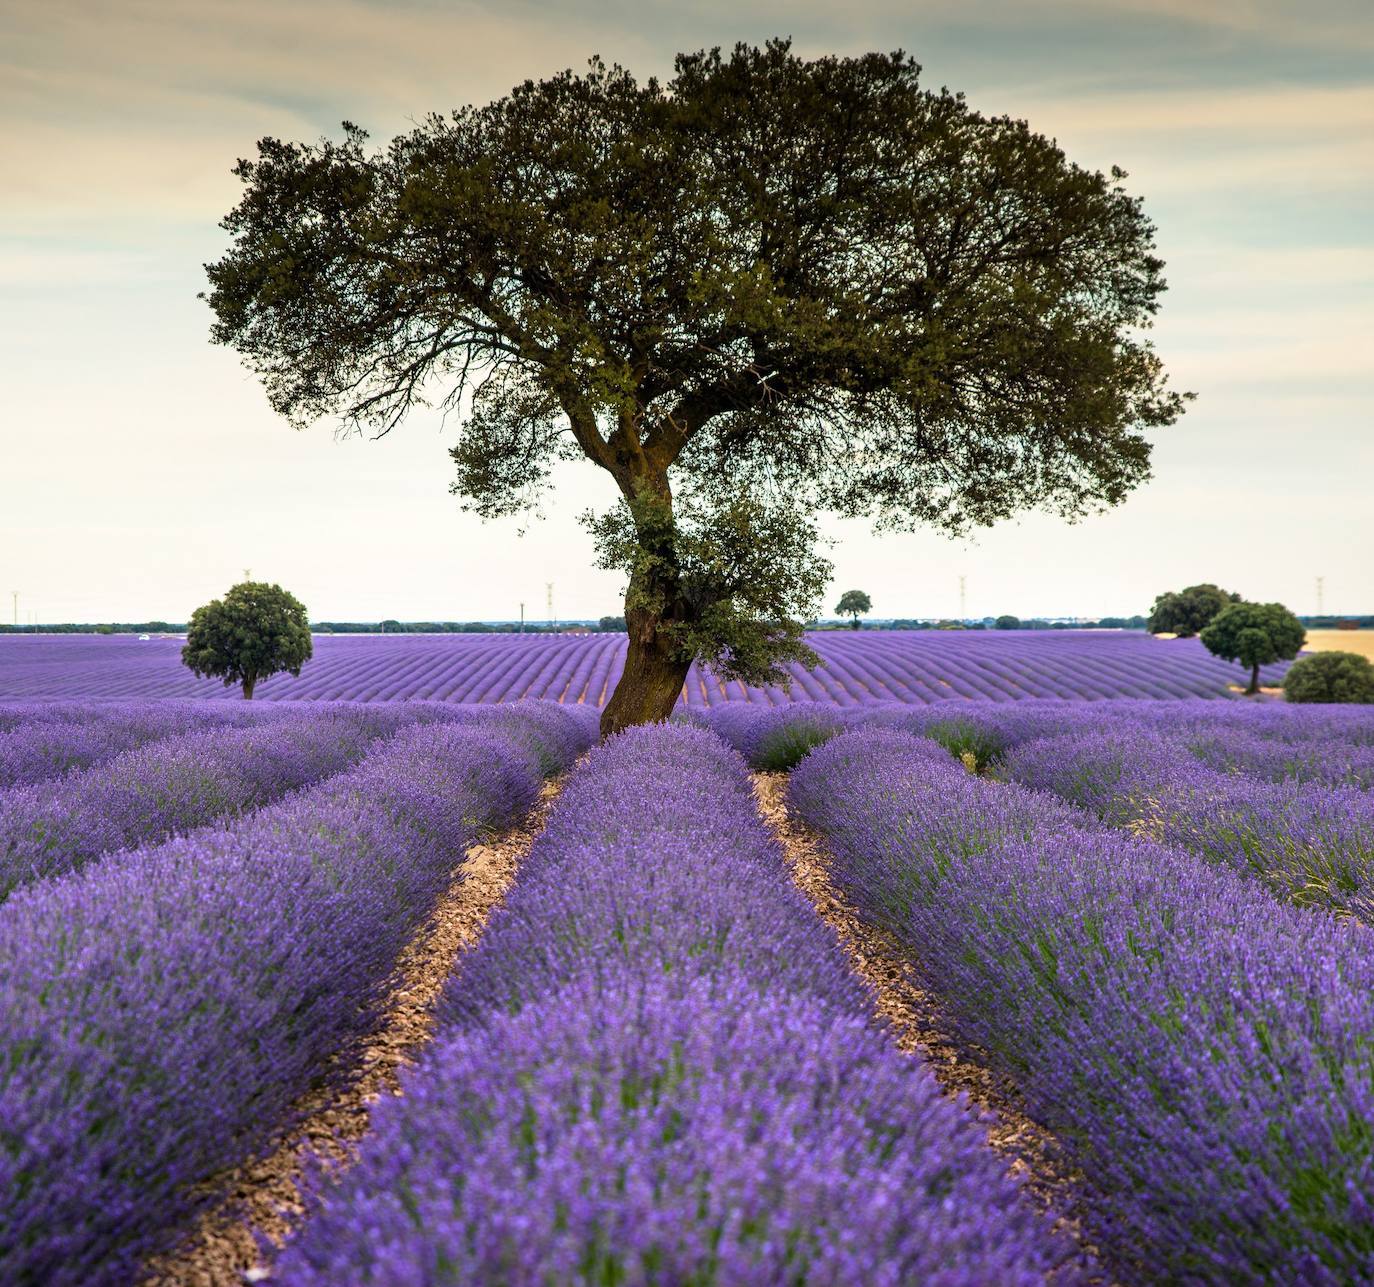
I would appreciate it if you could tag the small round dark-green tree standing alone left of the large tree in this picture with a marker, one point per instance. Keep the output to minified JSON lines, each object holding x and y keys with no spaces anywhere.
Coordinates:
{"x":255,"y":631}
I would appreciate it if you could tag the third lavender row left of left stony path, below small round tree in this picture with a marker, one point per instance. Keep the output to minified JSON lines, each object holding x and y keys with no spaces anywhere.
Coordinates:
{"x":47,"y":747}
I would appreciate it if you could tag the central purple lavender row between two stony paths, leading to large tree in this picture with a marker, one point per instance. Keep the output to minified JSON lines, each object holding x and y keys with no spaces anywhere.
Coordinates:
{"x":657,"y":1069}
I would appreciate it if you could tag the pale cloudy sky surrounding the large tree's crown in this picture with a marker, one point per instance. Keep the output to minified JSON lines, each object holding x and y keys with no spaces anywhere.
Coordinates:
{"x":142,"y":470}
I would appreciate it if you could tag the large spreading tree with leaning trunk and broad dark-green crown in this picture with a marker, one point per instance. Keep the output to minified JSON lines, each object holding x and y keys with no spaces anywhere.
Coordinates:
{"x":766,"y":289}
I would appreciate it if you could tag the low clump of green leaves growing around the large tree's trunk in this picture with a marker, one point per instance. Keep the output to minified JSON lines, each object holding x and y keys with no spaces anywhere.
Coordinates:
{"x":732,"y":578}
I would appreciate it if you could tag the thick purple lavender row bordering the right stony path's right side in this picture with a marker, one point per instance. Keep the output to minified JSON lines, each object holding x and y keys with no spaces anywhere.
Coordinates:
{"x":1204,"y":1054}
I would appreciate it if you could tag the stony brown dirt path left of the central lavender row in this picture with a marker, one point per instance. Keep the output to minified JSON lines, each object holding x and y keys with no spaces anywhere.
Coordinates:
{"x":264,"y":1194}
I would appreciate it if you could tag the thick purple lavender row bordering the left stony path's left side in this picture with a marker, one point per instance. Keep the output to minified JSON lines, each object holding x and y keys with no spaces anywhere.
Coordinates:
{"x":163,"y":1014}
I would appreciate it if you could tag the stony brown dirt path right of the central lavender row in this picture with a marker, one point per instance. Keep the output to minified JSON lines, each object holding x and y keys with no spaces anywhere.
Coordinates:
{"x":919,"y":1025}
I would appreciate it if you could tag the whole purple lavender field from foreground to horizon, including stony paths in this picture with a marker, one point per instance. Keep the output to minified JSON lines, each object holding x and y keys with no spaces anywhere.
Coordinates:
{"x":1145,"y":926}
